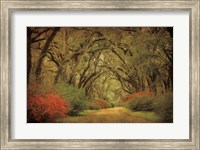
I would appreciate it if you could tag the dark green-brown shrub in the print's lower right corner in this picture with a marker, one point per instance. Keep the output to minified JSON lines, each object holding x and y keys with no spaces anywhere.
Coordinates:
{"x":163,"y":105}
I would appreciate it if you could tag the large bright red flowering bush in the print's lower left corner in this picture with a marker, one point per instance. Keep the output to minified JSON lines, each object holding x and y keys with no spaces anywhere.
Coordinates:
{"x":47,"y":108}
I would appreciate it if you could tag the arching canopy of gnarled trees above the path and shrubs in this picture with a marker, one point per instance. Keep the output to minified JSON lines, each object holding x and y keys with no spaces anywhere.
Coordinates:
{"x":106,"y":62}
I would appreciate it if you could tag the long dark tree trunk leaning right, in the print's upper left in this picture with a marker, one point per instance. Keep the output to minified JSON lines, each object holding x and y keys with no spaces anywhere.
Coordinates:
{"x":43,"y":54}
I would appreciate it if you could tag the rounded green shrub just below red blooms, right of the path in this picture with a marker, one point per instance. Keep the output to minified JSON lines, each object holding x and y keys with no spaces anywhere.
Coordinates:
{"x":142,"y":103}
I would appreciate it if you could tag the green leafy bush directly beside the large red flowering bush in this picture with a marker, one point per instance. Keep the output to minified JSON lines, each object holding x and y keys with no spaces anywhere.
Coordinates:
{"x":76,"y":97}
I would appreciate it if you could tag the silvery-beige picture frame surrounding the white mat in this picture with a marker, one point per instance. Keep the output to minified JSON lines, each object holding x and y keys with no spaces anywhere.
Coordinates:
{"x":9,"y":6}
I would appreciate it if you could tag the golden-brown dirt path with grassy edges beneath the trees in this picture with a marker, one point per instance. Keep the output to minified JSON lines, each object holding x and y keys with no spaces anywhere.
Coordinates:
{"x":113,"y":115}
